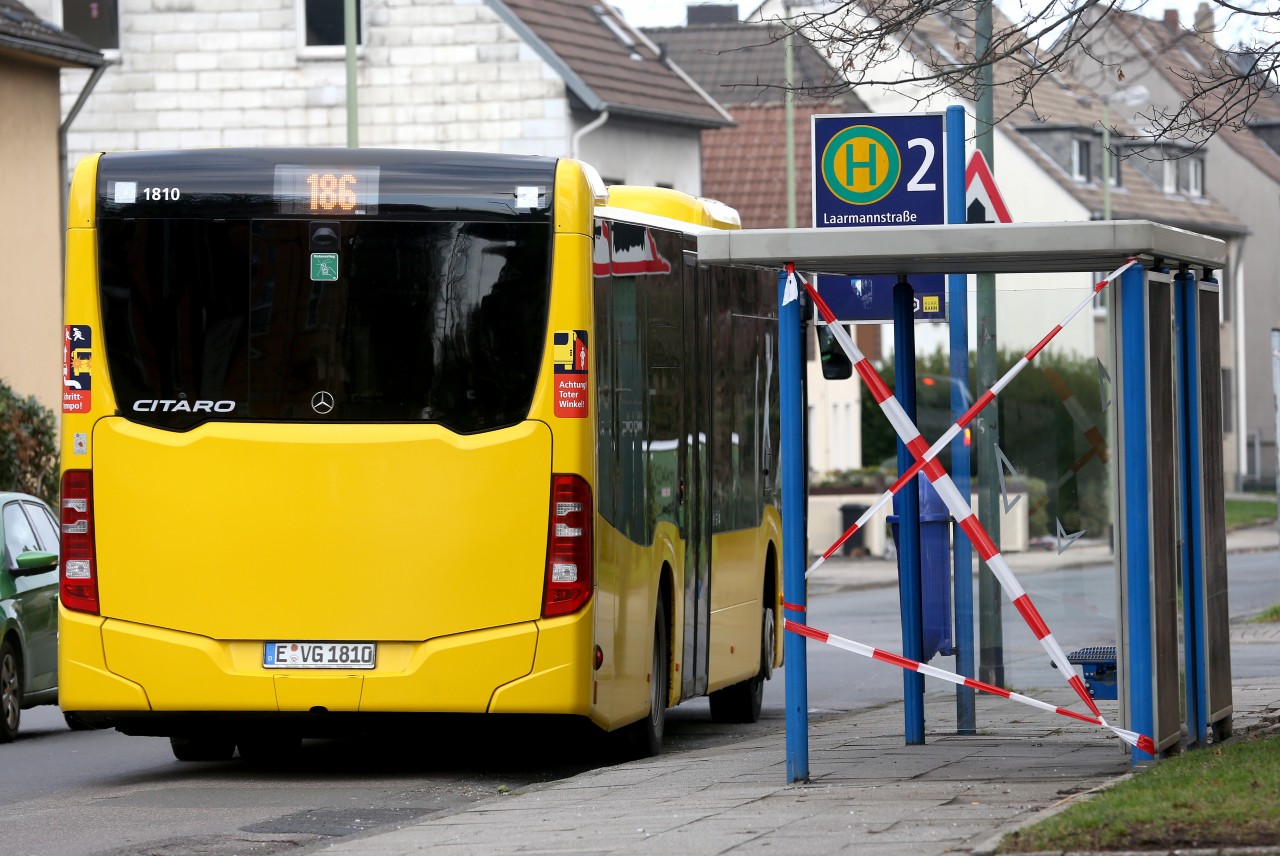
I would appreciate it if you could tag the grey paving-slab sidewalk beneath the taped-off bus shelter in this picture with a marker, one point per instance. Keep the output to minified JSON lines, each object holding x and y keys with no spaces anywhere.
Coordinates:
{"x":870,"y":795}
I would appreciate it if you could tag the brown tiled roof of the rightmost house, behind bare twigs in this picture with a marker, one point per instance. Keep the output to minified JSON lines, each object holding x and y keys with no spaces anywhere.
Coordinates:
{"x":1169,"y":52}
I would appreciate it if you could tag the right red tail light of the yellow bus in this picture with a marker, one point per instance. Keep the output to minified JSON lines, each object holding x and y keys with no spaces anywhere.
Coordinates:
{"x":569,"y":547}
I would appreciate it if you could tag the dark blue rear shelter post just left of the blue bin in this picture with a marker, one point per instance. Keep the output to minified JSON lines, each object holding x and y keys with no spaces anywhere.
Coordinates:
{"x":909,"y":518}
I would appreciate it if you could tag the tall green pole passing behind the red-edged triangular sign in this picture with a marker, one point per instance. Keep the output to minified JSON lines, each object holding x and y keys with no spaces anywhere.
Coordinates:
{"x":991,"y":646}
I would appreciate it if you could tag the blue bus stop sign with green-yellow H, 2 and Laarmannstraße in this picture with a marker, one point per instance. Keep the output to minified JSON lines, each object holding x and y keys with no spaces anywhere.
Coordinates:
{"x":879,"y":171}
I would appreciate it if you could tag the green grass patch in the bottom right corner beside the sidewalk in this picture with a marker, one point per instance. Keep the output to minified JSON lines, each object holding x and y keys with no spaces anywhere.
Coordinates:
{"x":1222,"y":797}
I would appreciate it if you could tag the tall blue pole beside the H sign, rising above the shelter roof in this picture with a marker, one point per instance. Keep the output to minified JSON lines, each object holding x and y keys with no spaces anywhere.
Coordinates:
{"x":958,"y":319}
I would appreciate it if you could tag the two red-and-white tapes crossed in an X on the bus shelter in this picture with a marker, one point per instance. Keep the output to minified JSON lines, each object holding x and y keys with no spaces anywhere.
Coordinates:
{"x":926,"y":461}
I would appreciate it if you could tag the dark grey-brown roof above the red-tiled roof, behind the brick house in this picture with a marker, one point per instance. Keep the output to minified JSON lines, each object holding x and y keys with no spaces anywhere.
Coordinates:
{"x":740,"y":63}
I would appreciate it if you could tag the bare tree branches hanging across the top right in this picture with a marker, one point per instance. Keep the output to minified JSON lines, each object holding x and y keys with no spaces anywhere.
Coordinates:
{"x":927,"y":48}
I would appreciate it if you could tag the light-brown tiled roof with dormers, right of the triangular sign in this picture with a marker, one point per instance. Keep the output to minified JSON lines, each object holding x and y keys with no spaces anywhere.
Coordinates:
{"x":1060,"y":100}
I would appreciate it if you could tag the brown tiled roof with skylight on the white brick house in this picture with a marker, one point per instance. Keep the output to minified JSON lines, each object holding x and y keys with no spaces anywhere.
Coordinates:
{"x":607,"y":65}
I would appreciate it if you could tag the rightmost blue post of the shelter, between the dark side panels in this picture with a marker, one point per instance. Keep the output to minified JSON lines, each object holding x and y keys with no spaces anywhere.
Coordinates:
{"x":1186,"y":318}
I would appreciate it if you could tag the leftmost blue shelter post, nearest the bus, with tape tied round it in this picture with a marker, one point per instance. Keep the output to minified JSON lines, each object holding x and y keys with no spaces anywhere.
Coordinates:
{"x":797,"y":675}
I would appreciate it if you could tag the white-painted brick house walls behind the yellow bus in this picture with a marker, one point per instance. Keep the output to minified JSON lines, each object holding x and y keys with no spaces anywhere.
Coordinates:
{"x":433,"y":74}
